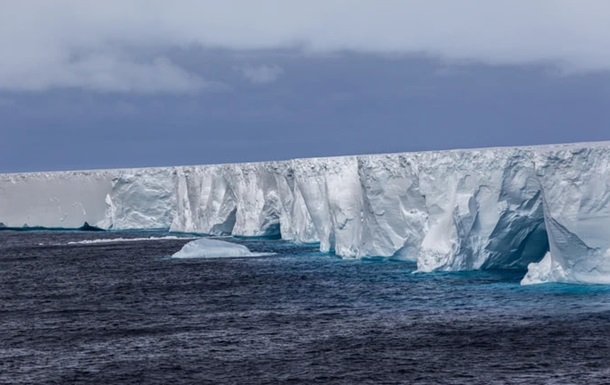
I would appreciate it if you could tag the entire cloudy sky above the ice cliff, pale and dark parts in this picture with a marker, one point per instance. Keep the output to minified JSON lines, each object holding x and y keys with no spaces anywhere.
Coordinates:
{"x":136,"y":83}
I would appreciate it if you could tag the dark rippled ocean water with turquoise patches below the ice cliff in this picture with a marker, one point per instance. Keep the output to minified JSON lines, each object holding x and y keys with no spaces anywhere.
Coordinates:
{"x":124,"y":313}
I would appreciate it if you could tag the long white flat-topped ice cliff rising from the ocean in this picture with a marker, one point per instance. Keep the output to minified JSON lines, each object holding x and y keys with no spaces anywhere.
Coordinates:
{"x":545,"y":207}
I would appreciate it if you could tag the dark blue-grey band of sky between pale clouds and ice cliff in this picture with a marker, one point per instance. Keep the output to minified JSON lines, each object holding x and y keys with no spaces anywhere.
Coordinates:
{"x":321,"y":105}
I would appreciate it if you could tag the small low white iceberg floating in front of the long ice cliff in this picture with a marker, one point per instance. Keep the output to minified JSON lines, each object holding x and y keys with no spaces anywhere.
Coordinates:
{"x":213,"y":248}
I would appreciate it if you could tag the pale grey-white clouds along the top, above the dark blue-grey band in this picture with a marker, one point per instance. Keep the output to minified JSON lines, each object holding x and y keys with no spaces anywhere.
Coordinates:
{"x":107,"y":46}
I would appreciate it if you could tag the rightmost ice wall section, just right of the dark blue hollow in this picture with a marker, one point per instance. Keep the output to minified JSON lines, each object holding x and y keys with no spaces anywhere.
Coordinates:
{"x":575,"y":186}
